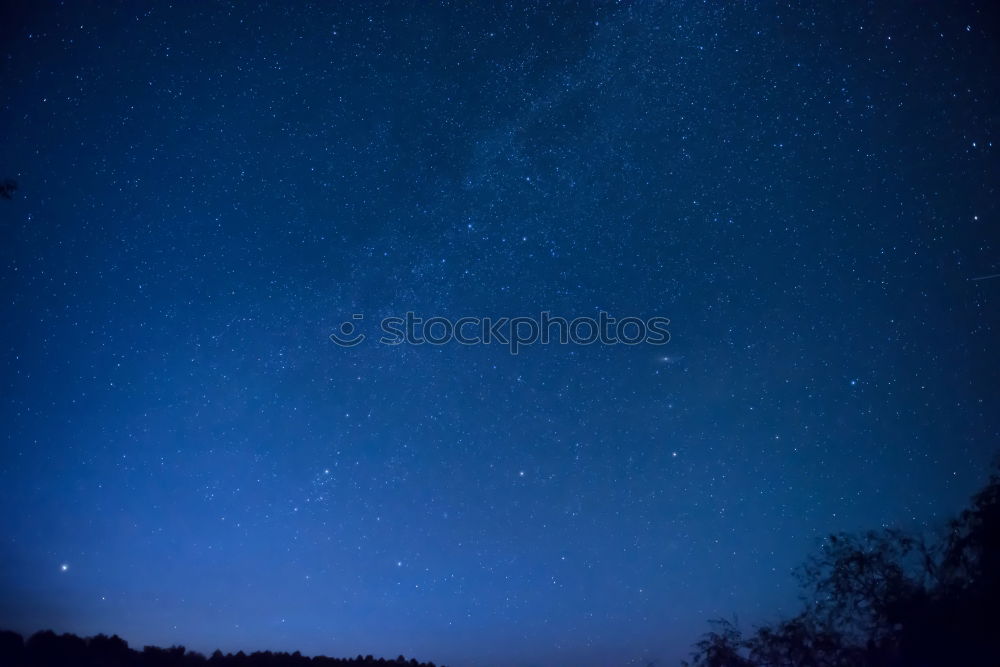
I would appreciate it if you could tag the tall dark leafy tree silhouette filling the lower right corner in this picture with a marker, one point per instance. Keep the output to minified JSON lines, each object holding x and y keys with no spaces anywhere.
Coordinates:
{"x":886,"y":599}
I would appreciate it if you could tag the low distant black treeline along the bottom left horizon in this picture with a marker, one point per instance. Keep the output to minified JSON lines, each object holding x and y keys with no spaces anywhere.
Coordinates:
{"x":47,"y":649}
